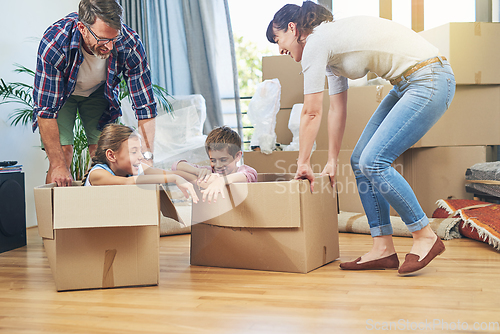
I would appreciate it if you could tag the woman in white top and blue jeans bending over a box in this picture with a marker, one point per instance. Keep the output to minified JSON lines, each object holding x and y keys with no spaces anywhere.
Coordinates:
{"x":424,"y":86}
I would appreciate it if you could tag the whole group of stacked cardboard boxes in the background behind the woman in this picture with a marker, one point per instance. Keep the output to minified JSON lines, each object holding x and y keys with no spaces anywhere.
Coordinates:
{"x":435,"y":166}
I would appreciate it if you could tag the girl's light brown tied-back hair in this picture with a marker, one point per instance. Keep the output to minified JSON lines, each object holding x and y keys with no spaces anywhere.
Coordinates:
{"x":111,"y":138}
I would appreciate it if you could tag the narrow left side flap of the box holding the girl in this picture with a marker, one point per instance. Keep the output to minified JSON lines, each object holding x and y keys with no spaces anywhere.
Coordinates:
{"x":44,"y":210}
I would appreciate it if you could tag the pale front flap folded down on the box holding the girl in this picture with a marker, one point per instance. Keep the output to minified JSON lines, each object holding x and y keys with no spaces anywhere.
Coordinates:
{"x":105,"y":206}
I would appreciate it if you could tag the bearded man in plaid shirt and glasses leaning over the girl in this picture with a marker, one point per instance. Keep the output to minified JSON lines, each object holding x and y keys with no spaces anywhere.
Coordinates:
{"x":79,"y":61}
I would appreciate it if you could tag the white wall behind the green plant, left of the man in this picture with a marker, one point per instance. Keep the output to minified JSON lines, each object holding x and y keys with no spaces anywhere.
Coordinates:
{"x":22,"y":24}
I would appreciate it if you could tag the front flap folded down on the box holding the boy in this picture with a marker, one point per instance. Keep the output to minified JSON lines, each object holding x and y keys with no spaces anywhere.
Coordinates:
{"x":253,"y":205}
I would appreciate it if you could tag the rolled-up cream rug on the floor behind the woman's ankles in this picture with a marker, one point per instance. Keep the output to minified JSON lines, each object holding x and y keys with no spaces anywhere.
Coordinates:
{"x":445,"y":228}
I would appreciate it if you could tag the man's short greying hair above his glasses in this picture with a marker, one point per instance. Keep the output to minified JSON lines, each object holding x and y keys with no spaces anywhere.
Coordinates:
{"x":109,"y":11}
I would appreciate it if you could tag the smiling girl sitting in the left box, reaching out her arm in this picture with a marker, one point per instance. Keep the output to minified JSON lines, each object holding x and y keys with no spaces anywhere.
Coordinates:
{"x":118,"y":160}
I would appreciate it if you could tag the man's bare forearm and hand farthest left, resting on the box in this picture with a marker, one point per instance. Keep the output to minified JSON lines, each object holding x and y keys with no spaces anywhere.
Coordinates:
{"x":58,"y":171}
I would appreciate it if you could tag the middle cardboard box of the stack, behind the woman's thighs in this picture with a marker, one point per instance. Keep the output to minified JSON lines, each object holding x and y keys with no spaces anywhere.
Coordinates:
{"x":473,"y":118}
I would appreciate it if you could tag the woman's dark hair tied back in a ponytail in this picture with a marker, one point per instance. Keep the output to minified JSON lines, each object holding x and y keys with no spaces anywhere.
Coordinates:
{"x":307,"y":17}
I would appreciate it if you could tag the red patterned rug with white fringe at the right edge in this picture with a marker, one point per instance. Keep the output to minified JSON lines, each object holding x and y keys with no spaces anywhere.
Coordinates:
{"x":479,"y":220}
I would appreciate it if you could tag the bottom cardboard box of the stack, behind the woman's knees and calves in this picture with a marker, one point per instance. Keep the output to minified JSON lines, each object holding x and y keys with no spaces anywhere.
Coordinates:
{"x":433,"y":173}
